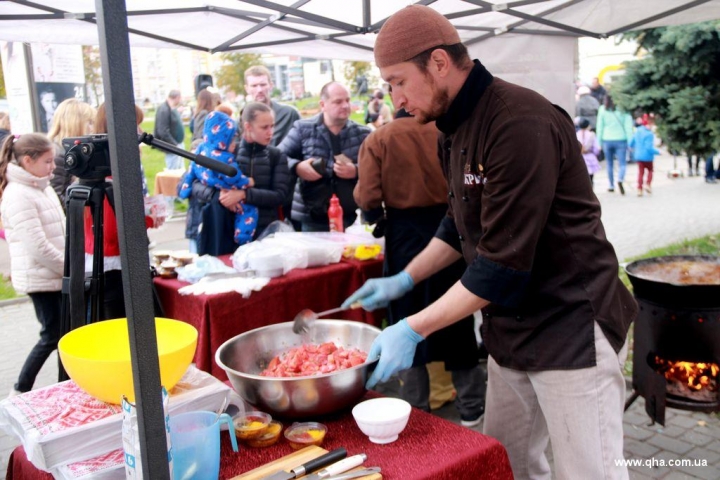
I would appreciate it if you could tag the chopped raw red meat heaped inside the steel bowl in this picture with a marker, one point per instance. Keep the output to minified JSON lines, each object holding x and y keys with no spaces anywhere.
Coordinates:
{"x":308,"y":360}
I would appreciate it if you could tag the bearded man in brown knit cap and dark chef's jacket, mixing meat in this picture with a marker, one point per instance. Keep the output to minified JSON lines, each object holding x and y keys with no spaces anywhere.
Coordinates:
{"x":523,"y":215}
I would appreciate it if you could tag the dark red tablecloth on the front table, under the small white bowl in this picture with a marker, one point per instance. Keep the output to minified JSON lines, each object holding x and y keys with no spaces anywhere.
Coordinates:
{"x":430,"y":447}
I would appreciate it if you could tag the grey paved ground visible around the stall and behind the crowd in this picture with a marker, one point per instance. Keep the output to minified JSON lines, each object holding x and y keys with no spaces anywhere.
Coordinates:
{"x":678,"y":209}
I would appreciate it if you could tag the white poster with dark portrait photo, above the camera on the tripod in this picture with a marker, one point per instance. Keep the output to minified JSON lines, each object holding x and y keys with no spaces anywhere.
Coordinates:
{"x":58,"y":74}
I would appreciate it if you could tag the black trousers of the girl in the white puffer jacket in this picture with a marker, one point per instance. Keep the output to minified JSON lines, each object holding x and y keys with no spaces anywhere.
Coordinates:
{"x":48,"y":309}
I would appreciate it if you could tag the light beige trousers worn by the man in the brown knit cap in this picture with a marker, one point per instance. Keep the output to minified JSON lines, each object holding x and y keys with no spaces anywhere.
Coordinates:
{"x":579,"y":411}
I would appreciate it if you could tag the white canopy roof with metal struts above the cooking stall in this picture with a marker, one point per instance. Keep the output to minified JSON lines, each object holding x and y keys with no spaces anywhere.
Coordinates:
{"x":338,"y":29}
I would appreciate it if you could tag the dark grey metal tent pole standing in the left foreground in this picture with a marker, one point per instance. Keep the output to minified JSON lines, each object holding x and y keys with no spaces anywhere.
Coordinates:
{"x":129,"y":209}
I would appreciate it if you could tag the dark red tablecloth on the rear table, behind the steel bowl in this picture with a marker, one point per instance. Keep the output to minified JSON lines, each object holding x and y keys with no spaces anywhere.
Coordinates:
{"x":220,"y":317}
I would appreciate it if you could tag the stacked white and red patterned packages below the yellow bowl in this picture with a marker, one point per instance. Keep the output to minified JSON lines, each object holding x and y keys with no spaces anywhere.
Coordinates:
{"x":61,"y":425}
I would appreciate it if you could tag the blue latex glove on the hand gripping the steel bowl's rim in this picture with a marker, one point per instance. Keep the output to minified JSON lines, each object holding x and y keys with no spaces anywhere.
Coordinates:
{"x":396,"y":348}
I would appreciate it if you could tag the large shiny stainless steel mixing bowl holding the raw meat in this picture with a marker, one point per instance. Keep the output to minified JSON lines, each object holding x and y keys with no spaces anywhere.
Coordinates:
{"x":244,"y":356}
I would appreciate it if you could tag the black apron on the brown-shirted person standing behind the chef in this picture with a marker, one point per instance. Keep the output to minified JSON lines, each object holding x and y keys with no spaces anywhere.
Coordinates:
{"x":407,"y":233}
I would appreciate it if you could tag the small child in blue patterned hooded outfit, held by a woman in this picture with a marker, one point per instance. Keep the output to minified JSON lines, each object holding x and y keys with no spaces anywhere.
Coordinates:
{"x":218,"y":143}
